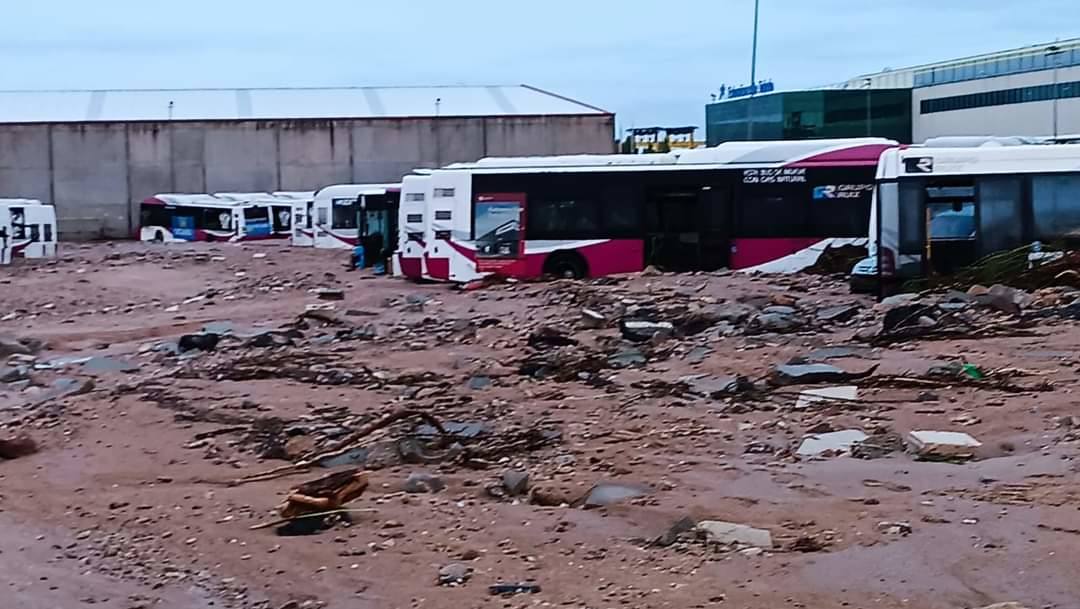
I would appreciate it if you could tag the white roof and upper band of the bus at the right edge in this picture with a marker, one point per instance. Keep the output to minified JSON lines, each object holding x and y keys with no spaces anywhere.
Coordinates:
{"x":1003,"y":160}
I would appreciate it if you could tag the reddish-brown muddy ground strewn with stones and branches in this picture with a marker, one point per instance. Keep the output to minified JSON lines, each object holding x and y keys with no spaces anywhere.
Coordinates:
{"x":137,"y":497}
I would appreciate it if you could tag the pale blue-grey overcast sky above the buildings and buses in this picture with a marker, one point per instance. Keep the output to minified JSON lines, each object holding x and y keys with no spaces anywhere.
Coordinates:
{"x":651,"y":62}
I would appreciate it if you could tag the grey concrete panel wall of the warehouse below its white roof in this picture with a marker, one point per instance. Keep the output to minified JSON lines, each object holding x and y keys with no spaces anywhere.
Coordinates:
{"x":98,"y":173}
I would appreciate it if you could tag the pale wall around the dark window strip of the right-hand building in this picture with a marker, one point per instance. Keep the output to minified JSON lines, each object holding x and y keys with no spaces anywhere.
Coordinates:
{"x":1033,"y":118}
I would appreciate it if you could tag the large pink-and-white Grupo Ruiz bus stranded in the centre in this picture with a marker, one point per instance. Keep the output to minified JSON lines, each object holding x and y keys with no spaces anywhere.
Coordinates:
{"x":739,"y":206}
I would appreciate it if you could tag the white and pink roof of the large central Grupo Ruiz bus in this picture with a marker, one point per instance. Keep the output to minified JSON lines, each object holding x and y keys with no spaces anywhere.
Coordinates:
{"x":852,"y":152}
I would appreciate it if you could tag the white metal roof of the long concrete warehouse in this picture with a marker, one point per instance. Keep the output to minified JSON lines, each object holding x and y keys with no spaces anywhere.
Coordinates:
{"x":268,"y":104}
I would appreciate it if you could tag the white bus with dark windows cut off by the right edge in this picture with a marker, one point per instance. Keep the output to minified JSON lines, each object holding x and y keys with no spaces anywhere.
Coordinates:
{"x":942,"y":209}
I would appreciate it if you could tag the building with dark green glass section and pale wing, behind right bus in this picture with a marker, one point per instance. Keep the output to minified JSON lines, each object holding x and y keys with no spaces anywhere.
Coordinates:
{"x":1034,"y":91}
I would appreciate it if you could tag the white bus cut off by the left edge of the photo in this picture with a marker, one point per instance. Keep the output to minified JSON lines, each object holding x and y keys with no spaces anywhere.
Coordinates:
{"x":28,"y":229}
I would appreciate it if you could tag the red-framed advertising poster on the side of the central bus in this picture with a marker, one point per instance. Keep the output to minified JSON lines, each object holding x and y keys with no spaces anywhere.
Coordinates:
{"x":499,"y":234}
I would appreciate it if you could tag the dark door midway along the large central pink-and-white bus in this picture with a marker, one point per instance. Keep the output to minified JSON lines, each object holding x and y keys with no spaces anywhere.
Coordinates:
{"x":673,"y":239}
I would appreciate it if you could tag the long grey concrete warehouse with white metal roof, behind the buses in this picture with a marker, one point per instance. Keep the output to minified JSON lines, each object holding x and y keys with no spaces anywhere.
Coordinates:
{"x":97,"y":155}
